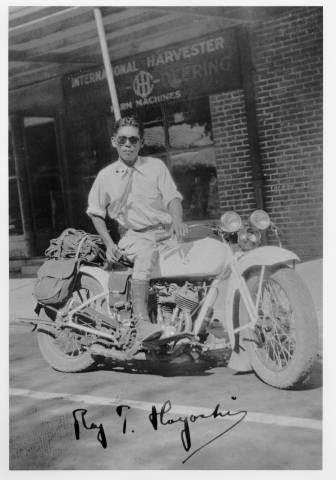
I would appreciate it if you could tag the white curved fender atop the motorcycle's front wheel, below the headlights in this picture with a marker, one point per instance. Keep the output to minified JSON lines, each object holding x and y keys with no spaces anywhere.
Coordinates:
{"x":266,"y":256}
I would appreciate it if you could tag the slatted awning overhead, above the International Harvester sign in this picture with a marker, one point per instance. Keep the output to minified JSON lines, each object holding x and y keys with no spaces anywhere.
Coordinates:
{"x":48,"y":42}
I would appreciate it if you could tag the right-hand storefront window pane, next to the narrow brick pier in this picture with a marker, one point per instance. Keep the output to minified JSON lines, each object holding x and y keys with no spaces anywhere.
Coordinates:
{"x":192,"y":158}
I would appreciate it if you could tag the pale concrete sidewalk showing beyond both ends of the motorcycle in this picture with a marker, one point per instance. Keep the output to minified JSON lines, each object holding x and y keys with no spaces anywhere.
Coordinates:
{"x":22,"y":303}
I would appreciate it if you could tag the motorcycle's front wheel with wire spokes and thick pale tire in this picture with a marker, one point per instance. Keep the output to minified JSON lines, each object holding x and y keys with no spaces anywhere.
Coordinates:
{"x":282,"y":347}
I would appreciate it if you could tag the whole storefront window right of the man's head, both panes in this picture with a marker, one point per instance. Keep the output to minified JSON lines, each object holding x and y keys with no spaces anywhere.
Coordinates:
{"x":180,"y":134}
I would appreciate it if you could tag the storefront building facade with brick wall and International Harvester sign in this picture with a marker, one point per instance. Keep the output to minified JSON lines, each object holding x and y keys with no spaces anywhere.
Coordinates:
{"x":236,"y":115}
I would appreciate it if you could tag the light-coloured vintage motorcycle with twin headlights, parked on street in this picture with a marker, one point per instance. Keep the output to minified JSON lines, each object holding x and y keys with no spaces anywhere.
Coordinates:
{"x":220,"y":282}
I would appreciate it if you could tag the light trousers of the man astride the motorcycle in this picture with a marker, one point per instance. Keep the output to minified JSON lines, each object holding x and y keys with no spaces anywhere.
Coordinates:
{"x":142,"y":249}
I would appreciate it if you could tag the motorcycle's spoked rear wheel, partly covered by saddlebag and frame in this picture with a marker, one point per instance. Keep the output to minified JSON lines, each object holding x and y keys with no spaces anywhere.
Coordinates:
{"x":65,"y":349}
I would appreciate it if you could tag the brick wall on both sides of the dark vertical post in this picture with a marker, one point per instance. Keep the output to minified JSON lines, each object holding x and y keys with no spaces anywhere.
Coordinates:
{"x":287,"y":55}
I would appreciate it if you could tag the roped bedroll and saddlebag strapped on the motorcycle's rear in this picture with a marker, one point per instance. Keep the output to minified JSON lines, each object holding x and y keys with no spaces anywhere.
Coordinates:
{"x":57,"y":275}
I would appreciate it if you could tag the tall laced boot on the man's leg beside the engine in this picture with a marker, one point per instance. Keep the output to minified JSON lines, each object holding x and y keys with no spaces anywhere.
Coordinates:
{"x":145,"y":329}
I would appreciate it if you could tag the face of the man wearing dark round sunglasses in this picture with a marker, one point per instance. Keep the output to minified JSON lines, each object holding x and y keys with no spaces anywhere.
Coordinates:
{"x":127,"y":143}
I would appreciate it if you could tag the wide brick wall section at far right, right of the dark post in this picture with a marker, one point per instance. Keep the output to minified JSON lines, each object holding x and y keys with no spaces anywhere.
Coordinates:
{"x":288,"y":61}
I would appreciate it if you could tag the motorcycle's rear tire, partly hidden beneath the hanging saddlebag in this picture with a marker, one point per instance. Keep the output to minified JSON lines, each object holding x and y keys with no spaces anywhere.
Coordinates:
{"x":48,"y":338}
